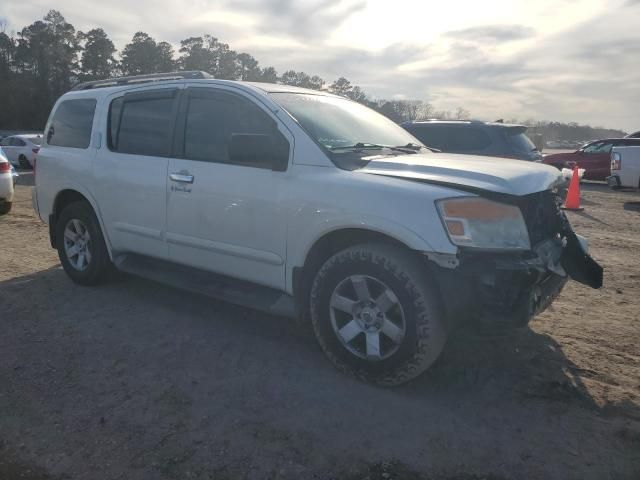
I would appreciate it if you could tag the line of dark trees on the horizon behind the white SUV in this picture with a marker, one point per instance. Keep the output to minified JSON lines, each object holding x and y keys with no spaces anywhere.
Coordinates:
{"x":45,"y":59}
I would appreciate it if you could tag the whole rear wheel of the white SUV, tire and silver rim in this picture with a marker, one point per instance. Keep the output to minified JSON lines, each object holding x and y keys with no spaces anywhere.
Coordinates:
{"x":81,"y":247}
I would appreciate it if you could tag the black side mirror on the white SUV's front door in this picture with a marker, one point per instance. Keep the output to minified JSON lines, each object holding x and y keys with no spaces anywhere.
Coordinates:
{"x":259,"y":150}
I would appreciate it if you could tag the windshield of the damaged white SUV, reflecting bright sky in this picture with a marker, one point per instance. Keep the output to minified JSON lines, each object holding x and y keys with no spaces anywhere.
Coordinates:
{"x":336,"y":122}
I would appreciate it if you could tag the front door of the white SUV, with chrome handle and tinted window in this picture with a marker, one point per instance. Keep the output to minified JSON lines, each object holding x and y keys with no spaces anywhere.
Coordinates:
{"x":225,"y":217}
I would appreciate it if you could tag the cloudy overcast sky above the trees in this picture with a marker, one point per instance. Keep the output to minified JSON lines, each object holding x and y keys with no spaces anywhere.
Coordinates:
{"x":565,"y":60}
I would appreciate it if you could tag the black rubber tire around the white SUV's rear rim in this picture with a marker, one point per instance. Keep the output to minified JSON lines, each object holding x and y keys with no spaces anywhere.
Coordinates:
{"x":98,"y":268}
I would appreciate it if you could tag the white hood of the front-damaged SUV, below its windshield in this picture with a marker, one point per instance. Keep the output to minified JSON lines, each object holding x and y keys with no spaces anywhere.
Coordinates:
{"x":499,"y":175}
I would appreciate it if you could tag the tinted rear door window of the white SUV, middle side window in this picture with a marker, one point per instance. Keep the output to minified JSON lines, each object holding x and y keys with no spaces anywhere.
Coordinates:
{"x":142,"y":124}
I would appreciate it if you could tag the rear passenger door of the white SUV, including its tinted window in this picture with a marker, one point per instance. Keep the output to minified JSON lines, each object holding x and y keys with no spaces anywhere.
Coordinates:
{"x":131,"y":169}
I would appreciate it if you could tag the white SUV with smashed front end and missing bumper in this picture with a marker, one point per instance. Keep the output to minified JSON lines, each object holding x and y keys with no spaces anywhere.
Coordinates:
{"x":302,"y":203}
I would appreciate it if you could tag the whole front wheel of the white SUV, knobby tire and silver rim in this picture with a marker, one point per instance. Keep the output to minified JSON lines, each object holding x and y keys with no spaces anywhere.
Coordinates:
{"x":375,"y":314}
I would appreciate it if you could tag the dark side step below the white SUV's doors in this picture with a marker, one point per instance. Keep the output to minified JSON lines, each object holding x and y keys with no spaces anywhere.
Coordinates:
{"x":220,"y":287}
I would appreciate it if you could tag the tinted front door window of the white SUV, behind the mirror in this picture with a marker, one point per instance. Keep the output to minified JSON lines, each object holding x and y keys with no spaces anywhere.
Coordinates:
{"x":212,"y":118}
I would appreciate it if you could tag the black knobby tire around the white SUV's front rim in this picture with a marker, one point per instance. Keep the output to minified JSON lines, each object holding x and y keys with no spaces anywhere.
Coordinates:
{"x":423,"y":319}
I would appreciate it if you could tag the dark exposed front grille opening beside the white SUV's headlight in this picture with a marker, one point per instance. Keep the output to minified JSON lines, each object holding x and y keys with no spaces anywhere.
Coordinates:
{"x":542,"y":214}
